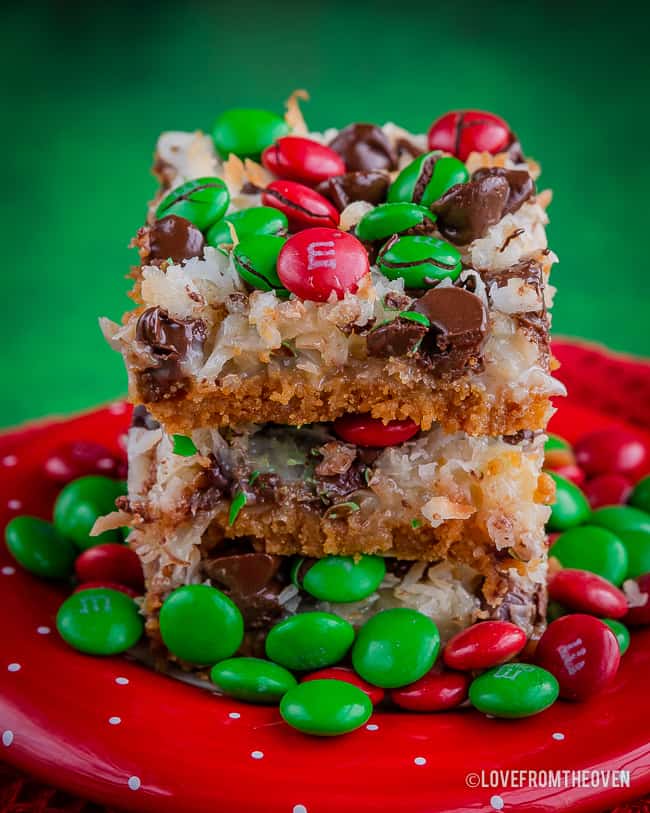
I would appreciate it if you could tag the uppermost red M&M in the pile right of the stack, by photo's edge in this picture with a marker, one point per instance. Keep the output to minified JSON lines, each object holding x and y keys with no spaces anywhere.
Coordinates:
{"x":613,"y":451}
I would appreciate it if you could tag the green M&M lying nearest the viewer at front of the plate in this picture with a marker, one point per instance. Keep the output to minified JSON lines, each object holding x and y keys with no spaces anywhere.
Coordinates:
{"x":326,"y":707}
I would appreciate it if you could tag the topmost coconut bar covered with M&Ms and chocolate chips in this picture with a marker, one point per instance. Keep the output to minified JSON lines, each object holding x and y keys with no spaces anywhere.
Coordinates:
{"x":292,"y":277}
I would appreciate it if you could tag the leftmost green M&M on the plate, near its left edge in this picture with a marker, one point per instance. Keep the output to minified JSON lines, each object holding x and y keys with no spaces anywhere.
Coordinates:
{"x":40,"y":548}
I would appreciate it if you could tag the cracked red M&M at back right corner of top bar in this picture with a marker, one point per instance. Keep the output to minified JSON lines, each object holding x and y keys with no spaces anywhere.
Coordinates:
{"x":466,"y":131}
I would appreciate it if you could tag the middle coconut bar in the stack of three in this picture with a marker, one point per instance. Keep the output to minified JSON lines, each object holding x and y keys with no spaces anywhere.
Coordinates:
{"x":475,"y":501}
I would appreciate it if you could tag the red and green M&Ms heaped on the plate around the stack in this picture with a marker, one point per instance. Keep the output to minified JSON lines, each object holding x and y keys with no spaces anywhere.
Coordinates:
{"x":326,"y":675}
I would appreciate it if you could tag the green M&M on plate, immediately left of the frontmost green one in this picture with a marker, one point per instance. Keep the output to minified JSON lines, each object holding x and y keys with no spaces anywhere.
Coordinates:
{"x":252,"y":679}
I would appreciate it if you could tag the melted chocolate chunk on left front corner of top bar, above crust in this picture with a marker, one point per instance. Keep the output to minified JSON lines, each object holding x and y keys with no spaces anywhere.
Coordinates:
{"x":169,"y":341}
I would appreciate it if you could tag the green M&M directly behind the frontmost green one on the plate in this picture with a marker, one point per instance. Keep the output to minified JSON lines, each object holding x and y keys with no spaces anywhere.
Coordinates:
{"x":309,"y":641}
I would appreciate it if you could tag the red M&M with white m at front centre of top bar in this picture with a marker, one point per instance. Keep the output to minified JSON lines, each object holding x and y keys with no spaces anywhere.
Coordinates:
{"x":317,"y":262}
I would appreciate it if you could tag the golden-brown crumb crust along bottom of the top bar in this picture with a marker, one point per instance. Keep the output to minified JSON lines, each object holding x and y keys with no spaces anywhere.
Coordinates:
{"x":293,"y":399}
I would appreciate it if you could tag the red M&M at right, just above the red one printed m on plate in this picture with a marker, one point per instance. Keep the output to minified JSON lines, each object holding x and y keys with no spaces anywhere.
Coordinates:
{"x":586,"y":592}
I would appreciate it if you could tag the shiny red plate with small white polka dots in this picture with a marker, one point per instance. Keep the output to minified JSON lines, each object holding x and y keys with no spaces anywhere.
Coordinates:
{"x":109,"y":730}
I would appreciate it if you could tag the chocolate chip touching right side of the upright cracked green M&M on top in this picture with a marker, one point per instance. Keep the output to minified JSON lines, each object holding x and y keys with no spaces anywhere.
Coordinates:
{"x":466,"y":211}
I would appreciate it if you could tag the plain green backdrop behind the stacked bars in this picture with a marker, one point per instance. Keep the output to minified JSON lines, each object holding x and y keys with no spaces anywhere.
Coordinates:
{"x":88,"y":89}
